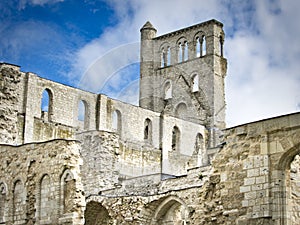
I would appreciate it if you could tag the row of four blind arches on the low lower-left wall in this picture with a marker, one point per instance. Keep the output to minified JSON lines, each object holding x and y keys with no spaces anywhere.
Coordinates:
{"x":46,"y":200}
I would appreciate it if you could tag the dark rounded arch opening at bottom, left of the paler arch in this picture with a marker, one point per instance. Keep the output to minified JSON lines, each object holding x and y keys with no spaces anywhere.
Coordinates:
{"x":96,"y":213}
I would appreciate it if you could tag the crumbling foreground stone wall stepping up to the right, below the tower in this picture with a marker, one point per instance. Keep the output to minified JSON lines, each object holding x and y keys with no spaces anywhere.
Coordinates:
{"x":252,"y":180}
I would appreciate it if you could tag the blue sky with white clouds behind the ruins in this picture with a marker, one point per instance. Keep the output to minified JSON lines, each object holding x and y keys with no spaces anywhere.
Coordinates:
{"x":94,"y":45}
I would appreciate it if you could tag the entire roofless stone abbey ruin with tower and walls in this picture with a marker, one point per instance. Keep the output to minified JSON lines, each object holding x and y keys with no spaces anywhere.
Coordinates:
{"x":170,"y":160}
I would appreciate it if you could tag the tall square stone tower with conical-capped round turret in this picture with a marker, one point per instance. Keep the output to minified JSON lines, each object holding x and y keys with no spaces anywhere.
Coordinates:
{"x":182,"y":74}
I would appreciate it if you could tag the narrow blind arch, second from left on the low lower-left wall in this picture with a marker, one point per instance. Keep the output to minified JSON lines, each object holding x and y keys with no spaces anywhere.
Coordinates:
{"x":19,"y":203}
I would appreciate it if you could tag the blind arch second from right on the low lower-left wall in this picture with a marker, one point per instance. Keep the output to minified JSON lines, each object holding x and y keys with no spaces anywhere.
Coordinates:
{"x":46,"y":199}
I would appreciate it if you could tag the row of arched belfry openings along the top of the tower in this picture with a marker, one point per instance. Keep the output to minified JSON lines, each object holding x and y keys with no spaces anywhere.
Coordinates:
{"x":198,"y":47}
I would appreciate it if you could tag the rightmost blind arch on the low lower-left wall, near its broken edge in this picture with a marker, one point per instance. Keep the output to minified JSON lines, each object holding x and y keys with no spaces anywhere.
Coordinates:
{"x":67,"y":187}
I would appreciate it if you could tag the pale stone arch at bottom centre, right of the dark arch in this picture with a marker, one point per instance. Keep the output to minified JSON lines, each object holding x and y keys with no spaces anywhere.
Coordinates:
{"x":173,"y":210}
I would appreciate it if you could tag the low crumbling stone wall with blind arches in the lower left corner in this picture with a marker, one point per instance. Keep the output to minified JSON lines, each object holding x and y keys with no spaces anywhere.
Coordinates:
{"x":41,"y":183}
